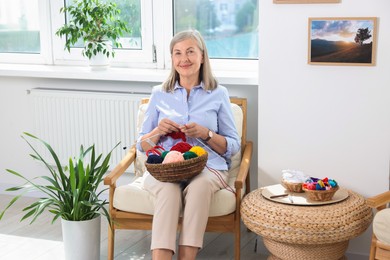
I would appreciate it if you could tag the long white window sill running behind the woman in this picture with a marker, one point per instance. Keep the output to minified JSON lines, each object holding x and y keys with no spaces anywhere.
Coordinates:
{"x":116,"y":74}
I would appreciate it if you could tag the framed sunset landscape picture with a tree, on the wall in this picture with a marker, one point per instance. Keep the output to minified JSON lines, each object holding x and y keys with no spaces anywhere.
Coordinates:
{"x":342,"y":41}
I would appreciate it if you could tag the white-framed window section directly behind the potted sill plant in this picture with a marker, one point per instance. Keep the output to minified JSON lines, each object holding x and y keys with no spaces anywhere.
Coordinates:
{"x":137,"y":48}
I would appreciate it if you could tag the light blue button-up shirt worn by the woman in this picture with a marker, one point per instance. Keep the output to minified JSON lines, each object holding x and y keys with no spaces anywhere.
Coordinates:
{"x":210,"y":109}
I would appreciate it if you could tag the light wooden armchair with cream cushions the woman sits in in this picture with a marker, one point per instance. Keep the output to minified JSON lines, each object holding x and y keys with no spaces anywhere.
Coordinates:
{"x":131,"y":207}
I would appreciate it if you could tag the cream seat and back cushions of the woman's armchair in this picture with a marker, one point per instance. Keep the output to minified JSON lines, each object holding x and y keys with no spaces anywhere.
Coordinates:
{"x":133,"y":198}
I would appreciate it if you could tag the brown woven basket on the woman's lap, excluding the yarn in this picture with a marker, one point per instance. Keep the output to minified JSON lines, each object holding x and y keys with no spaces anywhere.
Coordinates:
{"x":178,"y":171}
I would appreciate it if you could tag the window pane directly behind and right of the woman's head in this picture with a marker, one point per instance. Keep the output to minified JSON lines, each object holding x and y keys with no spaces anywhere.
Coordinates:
{"x":229,"y":27}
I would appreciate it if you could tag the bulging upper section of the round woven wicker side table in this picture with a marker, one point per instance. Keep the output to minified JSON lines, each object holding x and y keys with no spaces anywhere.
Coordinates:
{"x":306,"y":225}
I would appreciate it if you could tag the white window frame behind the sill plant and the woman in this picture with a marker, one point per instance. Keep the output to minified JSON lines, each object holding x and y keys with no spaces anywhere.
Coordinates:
{"x":157,"y":31}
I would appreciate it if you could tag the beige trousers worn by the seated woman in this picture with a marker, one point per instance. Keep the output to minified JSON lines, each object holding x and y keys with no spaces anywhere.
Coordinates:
{"x":192,"y":202}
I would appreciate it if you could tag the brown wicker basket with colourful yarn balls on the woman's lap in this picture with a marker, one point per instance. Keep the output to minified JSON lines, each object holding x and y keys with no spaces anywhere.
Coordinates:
{"x":177,"y":171}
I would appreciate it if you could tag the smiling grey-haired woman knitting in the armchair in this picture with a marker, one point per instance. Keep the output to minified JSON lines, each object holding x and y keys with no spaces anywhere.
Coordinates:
{"x":189,"y":101}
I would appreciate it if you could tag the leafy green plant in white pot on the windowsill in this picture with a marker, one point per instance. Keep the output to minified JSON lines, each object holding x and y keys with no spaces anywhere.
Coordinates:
{"x":96,"y":23}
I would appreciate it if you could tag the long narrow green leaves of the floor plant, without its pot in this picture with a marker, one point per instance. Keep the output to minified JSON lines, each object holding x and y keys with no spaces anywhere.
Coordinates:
{"x":71,"y":191}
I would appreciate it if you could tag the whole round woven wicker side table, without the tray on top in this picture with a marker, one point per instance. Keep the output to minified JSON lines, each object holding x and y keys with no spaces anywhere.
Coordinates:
{"x":292,"y":232}
